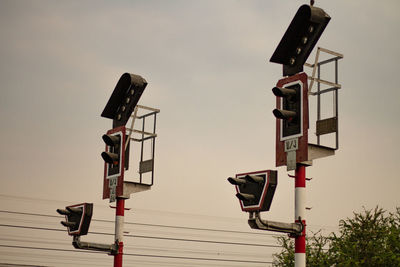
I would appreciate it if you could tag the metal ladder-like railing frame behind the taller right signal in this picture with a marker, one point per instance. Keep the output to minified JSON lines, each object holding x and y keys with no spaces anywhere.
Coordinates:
{"x":333,"y":87}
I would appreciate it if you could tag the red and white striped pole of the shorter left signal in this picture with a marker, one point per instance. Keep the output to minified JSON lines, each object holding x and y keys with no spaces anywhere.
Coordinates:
{"x":119,"y":231}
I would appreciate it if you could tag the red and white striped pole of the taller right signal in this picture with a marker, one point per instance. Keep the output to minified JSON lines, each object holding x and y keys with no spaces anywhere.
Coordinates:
{"x":299,"y":211}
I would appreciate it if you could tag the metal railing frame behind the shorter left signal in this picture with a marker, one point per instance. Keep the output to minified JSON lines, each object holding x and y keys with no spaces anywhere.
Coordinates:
{"x":144,"y":137}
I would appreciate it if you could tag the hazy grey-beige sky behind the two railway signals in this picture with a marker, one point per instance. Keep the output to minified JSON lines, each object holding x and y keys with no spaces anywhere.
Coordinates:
{"x":208,"y":71}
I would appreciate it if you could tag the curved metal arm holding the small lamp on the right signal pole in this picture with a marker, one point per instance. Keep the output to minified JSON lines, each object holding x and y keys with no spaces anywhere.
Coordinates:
{"x":256,"y":222}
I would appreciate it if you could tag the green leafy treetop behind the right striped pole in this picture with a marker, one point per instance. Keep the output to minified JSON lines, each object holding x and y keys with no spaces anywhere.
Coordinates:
{"x":370,"y":238}
